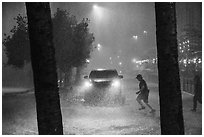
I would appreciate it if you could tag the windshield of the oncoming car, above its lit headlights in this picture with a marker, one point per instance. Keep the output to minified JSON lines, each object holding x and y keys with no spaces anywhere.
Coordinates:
{"x":103,"y":74}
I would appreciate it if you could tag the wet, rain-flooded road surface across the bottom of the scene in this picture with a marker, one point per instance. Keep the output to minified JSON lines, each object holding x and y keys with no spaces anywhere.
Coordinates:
{"x":19,"y":115}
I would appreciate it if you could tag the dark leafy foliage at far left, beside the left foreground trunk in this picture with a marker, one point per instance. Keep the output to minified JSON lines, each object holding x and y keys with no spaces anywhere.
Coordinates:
{"x":16,"y":43}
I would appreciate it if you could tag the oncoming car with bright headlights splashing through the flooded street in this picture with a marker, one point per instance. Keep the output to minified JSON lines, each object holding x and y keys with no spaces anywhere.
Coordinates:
{"x":103,"y":86}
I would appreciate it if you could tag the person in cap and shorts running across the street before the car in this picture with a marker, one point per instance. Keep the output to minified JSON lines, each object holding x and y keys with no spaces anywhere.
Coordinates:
{"x":143,"y":93}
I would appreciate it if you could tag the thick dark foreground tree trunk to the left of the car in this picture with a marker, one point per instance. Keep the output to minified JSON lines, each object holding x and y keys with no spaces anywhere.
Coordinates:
{"x":49,"y":116}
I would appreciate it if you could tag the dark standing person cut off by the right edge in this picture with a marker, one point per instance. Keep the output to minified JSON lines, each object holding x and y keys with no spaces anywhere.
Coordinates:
{"x":197,"y":92}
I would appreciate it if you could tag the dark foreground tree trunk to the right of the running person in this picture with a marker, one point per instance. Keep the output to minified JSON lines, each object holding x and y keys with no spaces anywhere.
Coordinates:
{"x":169,"y":82}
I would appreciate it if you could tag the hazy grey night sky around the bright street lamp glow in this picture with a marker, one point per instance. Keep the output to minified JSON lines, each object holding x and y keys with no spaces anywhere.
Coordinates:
{"x":113,"y":23}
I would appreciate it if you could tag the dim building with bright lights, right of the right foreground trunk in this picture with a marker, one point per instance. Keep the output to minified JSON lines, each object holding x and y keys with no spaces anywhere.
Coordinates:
{"x":189,"y":27}
